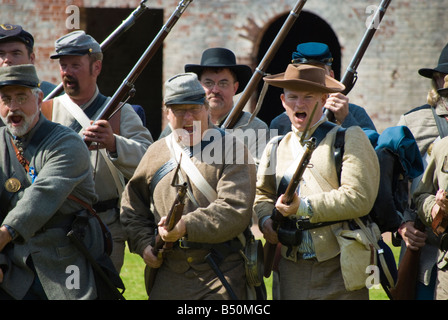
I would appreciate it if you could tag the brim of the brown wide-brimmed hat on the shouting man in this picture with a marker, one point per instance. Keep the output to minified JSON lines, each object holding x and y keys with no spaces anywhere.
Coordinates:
{"x":331,"y":85}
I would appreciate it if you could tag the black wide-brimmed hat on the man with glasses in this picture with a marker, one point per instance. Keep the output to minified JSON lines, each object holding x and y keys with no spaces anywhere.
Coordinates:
{"x":222,"y":58}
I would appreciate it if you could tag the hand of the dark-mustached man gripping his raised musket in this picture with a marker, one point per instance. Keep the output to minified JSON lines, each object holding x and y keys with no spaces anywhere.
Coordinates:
{"x":101,"y":133}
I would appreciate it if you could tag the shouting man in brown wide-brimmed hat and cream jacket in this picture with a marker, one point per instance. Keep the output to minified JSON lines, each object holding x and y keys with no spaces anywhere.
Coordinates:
{"x":332,"y":189}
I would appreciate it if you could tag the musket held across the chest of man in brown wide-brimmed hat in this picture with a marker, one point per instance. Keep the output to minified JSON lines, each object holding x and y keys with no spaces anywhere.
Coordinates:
{"x":270,"y":248}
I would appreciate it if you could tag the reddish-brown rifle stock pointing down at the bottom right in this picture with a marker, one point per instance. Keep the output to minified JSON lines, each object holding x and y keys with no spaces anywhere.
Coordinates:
{"x":405,"y":288}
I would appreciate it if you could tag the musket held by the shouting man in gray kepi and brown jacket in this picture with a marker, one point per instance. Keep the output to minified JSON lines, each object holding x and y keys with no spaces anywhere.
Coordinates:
{"x":173,"y":217}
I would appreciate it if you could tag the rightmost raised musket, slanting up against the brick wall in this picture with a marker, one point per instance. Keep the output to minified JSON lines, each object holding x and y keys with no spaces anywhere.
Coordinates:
{"x":351,"y":75}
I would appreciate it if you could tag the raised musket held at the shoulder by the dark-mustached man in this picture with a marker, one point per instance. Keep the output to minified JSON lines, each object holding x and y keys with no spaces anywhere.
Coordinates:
{"x":127,"y":86}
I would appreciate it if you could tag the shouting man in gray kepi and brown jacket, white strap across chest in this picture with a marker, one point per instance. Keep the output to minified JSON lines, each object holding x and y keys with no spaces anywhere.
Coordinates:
{"x":205,"y":260}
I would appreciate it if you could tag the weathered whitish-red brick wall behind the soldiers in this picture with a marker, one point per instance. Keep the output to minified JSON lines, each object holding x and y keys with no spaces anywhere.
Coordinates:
{"x":410,"y":37}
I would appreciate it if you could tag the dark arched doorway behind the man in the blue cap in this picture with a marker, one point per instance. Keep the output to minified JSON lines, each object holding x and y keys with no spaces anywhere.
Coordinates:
{"x":308,"y":27}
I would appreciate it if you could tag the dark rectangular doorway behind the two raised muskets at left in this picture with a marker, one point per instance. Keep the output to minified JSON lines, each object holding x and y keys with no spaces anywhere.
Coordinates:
{"x":123,"y":54}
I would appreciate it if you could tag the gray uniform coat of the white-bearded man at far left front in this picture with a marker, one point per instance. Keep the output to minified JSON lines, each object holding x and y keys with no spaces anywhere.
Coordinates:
{"x":38,"y":212}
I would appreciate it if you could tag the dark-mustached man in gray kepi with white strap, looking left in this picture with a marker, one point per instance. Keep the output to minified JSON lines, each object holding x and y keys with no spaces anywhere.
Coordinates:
{"x":117,"y":144}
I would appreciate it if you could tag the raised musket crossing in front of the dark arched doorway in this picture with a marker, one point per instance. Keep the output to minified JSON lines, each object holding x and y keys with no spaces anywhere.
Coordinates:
{"x":260,"y":71}
